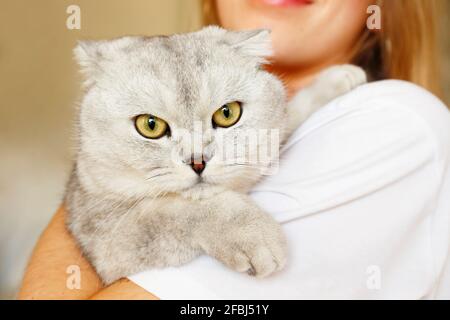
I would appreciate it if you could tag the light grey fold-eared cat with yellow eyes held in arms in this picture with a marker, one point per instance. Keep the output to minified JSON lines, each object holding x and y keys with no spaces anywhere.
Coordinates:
{"x":139,"y":196}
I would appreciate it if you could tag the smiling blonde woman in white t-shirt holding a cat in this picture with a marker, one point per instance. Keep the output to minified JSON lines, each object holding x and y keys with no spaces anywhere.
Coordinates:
{"x":362,"y":191}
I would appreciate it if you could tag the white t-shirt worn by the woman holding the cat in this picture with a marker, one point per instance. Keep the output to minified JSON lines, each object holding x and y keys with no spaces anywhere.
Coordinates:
{"x":363,"y":194}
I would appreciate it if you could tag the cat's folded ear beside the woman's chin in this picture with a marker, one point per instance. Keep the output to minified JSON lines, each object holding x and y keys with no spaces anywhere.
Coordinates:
{"x":253,"y":43}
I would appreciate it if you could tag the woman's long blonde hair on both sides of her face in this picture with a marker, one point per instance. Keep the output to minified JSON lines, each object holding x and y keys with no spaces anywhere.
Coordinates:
{"x":405,"y":48}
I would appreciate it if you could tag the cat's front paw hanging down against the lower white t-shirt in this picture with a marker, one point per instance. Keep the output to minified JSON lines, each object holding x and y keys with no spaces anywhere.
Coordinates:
{"x":258,"y":250}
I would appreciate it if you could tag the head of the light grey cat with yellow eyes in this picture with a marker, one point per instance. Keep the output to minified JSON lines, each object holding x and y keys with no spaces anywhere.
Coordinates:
{"x":180,"y":81}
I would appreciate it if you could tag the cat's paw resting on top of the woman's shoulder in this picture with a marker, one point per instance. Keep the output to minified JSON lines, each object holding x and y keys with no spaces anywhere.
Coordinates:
{"x":342,"y":78}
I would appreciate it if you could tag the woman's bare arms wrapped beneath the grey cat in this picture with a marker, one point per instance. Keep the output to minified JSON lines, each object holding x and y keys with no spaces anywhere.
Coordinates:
{"x":57,"y":260}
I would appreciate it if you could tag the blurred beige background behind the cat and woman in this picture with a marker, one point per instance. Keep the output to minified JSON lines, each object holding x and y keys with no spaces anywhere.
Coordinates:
{"x":39,"y":86}
